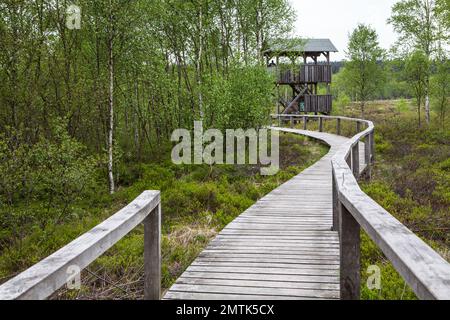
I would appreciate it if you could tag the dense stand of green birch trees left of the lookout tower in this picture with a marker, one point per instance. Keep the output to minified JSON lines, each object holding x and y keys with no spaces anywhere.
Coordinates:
{"x":159,"y":80}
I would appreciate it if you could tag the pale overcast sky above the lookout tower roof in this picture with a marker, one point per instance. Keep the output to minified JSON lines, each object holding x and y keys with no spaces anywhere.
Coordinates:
{"x":335,"y":19}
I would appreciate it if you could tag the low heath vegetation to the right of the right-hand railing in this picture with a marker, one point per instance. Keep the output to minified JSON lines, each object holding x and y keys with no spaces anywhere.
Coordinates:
{"x":411,"y":180}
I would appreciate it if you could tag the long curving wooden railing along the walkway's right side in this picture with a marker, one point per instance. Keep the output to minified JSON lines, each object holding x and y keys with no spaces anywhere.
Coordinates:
{"x":426,"y":272}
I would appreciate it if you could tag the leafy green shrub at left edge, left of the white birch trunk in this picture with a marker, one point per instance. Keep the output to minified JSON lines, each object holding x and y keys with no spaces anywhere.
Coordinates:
{"x":41,"y":181}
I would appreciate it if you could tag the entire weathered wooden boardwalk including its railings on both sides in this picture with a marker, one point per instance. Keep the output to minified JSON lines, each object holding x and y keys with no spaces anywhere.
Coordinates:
{"x":283,"y":247}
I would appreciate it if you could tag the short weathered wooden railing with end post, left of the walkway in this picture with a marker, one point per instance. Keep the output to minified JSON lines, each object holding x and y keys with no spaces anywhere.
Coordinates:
{"x":44,"y":278}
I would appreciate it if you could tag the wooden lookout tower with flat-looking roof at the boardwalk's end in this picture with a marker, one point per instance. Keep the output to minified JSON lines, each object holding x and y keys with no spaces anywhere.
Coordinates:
{"x":303,"y":74}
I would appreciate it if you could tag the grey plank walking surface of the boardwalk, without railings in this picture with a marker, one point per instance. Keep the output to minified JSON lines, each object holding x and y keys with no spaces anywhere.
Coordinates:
{"x":280,"y":248}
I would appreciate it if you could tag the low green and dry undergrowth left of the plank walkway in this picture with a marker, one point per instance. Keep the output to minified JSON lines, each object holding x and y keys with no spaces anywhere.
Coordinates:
{"x":197,"y":202}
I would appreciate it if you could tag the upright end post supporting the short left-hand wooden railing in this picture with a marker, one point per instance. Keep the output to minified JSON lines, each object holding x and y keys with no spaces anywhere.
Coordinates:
{"x":152,"y":255}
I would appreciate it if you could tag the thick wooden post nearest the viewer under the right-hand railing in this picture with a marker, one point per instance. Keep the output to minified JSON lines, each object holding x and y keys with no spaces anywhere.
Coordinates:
{"x":349,"y":233}
